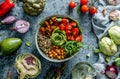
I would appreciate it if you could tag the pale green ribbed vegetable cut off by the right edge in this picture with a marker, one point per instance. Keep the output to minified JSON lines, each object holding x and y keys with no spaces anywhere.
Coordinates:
{"x":114,"y":33}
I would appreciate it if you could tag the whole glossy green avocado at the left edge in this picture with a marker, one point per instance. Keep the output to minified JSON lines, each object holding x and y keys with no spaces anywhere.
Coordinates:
{"x":10,"y":45}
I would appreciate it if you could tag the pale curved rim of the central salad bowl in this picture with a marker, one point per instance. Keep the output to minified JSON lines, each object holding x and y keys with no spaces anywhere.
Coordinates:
{"x":41,"y":52}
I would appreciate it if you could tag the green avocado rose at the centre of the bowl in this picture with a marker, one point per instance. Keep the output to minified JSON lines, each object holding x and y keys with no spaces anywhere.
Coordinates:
{"x":58,"y":37}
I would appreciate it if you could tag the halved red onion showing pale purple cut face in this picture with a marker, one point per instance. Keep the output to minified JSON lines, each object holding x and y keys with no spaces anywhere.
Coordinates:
{"x":21,"y":26}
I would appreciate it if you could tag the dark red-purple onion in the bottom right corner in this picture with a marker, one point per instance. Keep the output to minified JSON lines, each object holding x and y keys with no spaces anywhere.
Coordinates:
{"x":111,"y":71}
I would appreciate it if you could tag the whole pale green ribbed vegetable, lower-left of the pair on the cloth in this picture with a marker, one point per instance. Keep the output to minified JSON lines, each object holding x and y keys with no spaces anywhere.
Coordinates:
{"x":107,"y":46}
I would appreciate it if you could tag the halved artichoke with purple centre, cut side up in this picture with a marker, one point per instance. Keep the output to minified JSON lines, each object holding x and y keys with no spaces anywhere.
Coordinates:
{"x":27,"y":65}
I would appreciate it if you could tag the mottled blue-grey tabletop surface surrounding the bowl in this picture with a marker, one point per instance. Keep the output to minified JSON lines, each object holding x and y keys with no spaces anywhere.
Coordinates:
{"x":52,"y":7}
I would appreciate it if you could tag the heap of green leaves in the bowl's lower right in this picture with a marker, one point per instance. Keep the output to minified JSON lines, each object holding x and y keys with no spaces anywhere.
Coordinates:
{"x":71,"y":47}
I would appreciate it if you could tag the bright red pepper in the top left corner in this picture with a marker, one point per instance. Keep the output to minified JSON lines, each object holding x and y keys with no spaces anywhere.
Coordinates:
{"x":6,"y":6}
